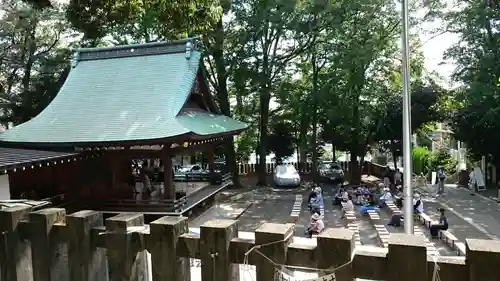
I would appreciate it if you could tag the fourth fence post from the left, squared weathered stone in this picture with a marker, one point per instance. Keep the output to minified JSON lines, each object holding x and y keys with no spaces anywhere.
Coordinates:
{"x":123,"y":262}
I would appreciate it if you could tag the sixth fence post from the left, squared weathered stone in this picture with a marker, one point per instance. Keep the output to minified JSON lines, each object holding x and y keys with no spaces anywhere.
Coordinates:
{"x":214,"y":249}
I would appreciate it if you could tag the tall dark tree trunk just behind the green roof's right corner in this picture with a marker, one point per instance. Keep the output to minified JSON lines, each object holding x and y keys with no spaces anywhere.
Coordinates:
{"x":223,"y":96}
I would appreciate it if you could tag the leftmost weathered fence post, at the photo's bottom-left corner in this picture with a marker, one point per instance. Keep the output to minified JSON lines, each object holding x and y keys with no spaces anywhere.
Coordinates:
{"x":15,"y":258}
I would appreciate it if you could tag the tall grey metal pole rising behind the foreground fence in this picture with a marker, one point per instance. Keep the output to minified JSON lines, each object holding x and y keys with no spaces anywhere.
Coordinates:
{"x":408,"y":189}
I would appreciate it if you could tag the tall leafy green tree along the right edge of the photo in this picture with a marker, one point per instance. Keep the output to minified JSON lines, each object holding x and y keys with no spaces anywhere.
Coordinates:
{"x":476,"y":121}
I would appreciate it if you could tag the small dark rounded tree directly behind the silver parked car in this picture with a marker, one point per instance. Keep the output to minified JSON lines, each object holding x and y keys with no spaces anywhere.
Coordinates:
{"x":281,"y":141}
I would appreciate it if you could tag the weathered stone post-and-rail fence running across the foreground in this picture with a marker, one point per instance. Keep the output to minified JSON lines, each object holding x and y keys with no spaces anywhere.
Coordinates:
{"x":114,"y":245}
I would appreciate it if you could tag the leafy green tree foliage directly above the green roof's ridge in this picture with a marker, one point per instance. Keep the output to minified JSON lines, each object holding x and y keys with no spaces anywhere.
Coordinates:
{"x":141,"y":21}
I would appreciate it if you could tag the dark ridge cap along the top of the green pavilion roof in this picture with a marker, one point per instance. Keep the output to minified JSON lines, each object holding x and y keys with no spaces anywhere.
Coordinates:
{"x":154,"y":48}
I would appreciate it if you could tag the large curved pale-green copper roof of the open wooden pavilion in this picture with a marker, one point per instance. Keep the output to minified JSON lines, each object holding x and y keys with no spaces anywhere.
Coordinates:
{"x":125,"y":93}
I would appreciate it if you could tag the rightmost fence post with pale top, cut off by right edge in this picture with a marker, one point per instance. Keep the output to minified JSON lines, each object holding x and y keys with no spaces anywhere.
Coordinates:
{"x":482,"y":257}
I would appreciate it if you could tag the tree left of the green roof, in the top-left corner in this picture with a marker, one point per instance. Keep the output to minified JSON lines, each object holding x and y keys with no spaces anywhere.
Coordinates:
{"x":35,"y":59}
